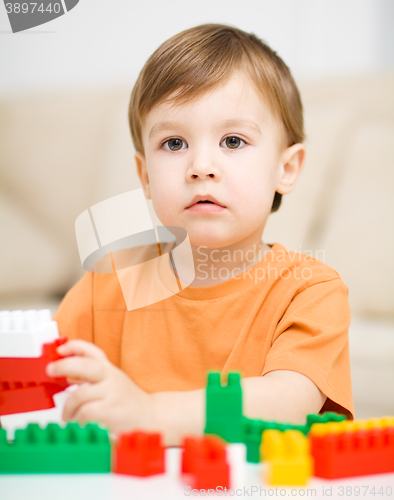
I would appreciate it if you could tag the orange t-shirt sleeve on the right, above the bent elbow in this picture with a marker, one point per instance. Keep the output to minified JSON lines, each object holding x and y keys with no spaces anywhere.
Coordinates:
{"x":312,"y":338}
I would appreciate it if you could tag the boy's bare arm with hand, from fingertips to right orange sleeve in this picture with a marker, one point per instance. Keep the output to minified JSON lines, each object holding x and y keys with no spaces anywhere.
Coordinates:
{"x":111,"y":397}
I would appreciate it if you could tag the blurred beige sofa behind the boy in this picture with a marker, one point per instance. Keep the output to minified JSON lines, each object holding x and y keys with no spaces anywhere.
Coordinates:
{"x":65,"y":150}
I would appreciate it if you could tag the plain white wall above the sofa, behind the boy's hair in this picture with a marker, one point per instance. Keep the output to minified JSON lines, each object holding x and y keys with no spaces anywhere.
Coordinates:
{"x":107,"y":41}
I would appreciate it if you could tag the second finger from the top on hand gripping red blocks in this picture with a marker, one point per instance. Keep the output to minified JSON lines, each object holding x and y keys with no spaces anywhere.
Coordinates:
{"x":86,"y":369}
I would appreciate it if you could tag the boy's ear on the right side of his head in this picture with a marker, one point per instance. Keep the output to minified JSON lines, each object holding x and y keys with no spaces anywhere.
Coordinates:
{"x":292,"y":163}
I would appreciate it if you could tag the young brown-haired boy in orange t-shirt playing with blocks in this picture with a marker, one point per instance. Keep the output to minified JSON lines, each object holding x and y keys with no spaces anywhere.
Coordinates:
{"x":216,"y":120}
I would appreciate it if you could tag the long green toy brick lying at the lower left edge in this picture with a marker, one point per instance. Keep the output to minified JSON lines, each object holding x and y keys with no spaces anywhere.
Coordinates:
{"x":54,"y":449}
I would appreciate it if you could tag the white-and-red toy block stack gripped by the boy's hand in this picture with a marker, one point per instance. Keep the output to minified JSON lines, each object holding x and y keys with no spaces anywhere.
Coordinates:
{"x":28,"y":342}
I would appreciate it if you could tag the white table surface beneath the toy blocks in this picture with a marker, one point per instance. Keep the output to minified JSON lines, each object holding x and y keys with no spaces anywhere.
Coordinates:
{"x":169,"y":486}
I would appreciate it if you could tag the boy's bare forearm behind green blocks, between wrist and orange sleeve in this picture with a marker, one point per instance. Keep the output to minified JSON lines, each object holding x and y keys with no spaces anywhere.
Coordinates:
{"x":280,"y":395}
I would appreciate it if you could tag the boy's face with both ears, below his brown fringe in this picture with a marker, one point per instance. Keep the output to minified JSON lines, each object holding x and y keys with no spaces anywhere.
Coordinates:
{"x":241,"y":164}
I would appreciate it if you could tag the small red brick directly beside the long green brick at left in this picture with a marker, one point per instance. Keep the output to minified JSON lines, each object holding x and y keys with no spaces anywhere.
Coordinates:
{"x":139,"y":454}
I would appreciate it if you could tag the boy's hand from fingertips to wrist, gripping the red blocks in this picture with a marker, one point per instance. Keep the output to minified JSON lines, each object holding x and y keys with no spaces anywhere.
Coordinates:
{"x":109,"y":397}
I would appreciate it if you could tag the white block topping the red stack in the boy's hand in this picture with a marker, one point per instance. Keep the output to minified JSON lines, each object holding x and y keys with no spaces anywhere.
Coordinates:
{"x":23,"y":333}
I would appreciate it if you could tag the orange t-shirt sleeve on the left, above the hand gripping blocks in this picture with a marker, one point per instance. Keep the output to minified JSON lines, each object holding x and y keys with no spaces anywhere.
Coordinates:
{"x":74,"y":315}
